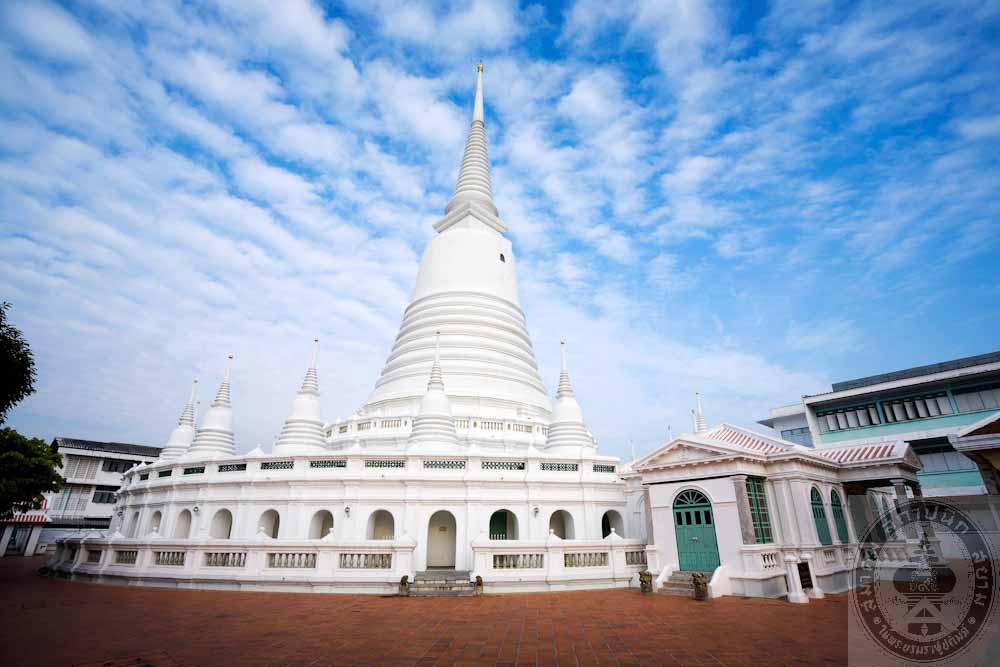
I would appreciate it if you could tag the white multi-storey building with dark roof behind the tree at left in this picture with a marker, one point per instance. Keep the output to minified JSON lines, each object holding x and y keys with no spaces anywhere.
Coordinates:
{"x":93,"y":474}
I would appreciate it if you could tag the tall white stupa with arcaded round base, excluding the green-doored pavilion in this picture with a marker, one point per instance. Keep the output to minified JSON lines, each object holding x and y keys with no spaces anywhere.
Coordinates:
{"x":458,"y":460}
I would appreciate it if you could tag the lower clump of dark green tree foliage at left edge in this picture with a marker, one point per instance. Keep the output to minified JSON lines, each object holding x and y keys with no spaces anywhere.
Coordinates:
{"x":27,"y":470}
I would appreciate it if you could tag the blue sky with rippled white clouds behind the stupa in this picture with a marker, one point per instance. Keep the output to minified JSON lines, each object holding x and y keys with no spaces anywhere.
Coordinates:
{"x":750,"y":201}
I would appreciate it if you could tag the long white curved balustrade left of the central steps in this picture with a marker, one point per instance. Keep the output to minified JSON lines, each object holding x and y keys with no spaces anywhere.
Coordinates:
{"x":355,"y":566}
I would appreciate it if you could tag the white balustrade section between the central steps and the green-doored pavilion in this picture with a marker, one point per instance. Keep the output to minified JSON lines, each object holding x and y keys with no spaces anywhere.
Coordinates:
{"x":554,"y":563}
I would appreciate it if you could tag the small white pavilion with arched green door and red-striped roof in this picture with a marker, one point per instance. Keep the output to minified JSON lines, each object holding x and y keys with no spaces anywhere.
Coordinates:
{"x":766,"y":517}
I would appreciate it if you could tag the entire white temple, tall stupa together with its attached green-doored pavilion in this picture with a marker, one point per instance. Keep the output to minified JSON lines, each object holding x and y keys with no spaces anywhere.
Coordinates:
{"x":461,"y":466}
